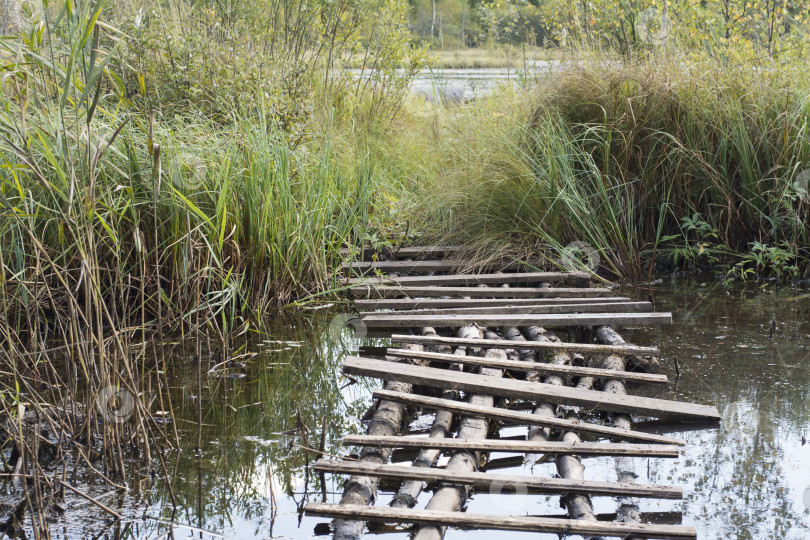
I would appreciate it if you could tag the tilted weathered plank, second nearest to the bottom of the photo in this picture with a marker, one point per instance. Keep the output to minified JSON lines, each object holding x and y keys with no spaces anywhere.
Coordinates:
{"x":481,"y":480}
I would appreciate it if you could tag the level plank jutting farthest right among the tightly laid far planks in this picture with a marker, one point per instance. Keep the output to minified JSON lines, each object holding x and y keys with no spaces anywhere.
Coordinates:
{"x":395,"y":320}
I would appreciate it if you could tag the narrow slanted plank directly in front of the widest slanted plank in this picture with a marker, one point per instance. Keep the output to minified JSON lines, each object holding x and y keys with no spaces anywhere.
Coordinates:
{"x":524,"y":418}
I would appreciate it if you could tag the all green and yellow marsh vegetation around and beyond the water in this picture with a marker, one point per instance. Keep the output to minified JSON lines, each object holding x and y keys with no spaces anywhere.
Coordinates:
{"x":178,"y":172}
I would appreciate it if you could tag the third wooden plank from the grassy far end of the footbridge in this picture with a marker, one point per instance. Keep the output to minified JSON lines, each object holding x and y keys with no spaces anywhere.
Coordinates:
{"x":477,"y":279}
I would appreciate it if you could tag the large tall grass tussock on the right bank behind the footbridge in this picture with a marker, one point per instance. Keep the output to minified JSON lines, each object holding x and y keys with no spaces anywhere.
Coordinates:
{"x":646,"y":161}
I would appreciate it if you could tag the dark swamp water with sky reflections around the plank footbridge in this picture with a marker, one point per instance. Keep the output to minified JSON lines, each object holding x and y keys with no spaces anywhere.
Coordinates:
{"x":749,"y":478}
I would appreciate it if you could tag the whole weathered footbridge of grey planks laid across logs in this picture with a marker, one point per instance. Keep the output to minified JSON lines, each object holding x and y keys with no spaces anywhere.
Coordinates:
{"x":424,"y":310}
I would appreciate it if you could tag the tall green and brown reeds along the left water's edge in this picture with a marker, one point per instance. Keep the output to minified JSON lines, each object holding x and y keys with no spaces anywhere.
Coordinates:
{"x":118,"y":226}
